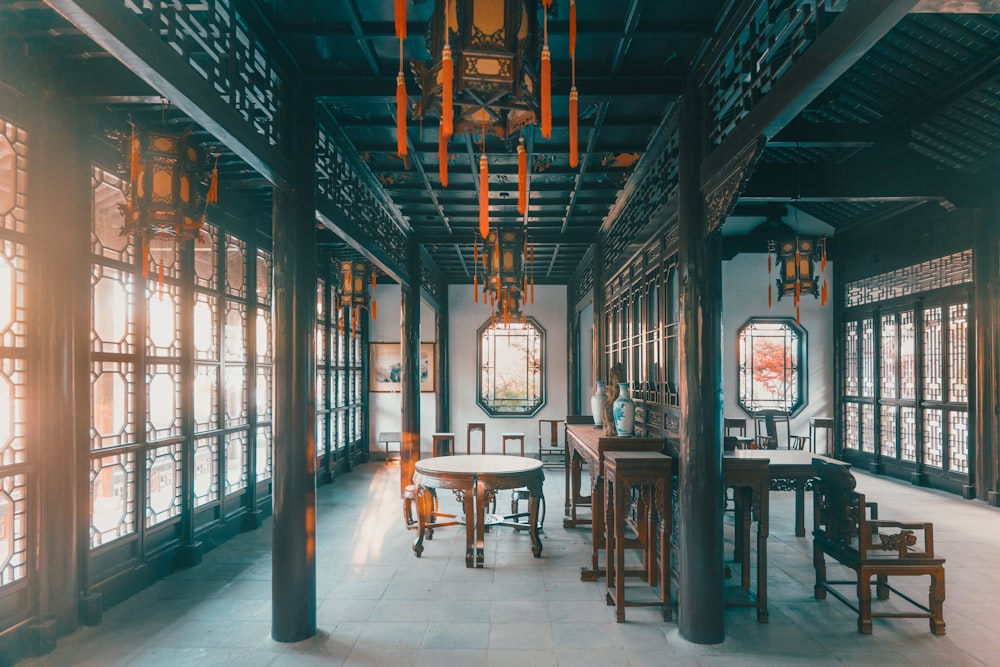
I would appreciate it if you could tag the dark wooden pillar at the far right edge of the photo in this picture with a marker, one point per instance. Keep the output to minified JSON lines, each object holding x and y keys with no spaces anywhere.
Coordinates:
{"x":985,"y":462}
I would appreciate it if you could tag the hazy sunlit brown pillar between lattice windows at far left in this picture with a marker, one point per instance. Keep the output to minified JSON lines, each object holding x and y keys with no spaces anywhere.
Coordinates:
{"x":59,"y":228}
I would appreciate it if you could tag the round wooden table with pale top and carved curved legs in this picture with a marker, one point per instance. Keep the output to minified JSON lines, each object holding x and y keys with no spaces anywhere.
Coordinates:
{"x":475,"y":479}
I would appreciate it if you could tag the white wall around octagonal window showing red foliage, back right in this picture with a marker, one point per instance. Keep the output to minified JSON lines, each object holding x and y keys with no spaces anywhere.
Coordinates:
{"x":744,"y":286}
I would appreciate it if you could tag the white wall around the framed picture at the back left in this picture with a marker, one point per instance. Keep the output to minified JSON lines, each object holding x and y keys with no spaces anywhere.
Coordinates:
{"x":384,"y":409}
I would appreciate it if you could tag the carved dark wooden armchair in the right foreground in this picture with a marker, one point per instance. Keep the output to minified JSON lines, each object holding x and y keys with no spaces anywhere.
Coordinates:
{"x":871,"y":547}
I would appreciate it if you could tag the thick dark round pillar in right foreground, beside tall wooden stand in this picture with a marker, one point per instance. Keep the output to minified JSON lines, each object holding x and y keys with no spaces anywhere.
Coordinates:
{"x":700,"y":492}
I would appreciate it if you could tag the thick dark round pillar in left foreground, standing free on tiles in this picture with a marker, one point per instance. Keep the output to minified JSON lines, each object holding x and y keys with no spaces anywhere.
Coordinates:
{"x":293,"y":576}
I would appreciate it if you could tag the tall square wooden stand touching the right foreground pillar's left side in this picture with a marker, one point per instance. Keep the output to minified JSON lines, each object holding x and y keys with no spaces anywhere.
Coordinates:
{"x":651,"y":474}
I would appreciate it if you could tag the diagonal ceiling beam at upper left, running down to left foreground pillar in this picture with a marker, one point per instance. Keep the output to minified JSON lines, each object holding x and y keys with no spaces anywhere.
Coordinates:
{"x":126,"y":37}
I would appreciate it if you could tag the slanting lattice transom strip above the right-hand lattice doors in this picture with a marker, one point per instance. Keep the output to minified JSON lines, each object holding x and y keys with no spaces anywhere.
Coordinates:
{"x":954,"y":269}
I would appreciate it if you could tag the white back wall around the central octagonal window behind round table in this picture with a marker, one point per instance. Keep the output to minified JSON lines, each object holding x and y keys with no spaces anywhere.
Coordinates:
{"x":465,"y":319}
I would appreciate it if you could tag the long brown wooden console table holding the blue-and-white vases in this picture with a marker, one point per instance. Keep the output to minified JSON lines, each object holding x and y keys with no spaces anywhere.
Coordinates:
{"x":586,"y":444}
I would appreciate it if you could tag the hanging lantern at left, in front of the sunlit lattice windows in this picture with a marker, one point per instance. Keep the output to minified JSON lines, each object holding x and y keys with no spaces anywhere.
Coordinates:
{"x":167,"y":196}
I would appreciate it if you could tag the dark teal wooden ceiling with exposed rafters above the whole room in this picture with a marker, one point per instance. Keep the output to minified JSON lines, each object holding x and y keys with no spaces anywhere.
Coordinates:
{"x":898,"y":108}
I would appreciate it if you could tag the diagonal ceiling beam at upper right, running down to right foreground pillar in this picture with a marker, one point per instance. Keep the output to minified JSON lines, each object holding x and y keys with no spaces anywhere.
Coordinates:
{"x":848,"y":37}
